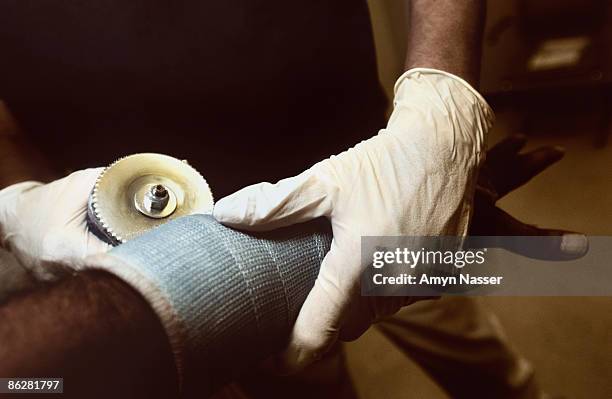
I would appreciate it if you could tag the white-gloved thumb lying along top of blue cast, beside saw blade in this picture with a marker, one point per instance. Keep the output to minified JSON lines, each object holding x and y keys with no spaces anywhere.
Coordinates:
{"x":267,"y":206}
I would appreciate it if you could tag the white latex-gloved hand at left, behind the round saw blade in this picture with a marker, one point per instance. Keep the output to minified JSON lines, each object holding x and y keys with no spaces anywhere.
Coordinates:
{"x":42,"y":224}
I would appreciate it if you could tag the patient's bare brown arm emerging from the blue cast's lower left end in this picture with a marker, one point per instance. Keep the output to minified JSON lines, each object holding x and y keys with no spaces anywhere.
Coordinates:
{"x":95,"y":332}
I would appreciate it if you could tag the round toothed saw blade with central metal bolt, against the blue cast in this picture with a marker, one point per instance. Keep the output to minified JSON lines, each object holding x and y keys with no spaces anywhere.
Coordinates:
{"x":115,"y":209}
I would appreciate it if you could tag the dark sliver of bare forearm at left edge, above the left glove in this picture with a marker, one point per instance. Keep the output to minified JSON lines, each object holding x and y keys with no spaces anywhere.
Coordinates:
{"x":19,"y":160}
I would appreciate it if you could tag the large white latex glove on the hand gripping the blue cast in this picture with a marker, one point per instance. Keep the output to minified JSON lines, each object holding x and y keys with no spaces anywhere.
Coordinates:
{"x":416,"y":177}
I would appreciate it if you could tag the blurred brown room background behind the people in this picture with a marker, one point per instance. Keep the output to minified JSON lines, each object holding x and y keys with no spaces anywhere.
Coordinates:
{"x":547,"y":71}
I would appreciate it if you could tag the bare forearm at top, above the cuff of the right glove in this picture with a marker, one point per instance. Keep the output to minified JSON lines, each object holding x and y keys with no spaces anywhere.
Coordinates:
{"x":446,"y":35}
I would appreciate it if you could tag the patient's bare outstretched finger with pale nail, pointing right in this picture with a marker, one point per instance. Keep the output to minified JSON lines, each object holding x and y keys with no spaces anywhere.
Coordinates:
{"x":562,"y":245}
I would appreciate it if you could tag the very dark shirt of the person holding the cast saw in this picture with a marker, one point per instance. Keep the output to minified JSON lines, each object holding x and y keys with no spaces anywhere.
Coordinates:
{"x":246,"y":90}
